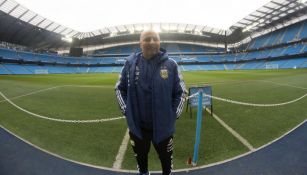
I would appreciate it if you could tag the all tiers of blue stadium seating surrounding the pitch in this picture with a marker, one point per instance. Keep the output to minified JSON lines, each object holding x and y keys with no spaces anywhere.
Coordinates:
{"x":189,"y":57}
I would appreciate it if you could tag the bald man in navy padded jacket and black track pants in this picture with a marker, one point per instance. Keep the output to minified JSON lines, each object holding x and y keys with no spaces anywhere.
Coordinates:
{"x":150,"y":93}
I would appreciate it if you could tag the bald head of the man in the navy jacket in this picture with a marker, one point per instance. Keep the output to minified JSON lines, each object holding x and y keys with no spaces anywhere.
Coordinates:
{"x":149,"y":43}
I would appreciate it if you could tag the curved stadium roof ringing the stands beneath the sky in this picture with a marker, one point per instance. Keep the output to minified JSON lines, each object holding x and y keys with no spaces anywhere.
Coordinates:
{"x":42,"y":32}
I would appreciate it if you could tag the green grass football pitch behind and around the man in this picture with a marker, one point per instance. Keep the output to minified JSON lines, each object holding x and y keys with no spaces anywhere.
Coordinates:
{"x":91,"y":96}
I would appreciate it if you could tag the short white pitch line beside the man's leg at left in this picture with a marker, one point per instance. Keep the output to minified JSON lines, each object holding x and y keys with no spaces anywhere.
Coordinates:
{"x":121,"y":152}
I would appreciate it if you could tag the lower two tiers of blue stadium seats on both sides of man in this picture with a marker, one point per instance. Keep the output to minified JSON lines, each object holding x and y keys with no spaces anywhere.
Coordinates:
{"x":11,"y":61}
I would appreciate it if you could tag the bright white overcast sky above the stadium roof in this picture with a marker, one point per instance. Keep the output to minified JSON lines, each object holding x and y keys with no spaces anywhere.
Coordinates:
{"x":90,"y":15}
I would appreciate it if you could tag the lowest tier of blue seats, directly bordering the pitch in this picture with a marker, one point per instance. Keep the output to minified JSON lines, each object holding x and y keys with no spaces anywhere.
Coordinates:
{"x":30,"y":69}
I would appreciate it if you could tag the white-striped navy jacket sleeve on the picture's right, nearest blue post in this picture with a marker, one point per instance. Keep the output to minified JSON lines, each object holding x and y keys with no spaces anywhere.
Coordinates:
{"x":179,"y":93}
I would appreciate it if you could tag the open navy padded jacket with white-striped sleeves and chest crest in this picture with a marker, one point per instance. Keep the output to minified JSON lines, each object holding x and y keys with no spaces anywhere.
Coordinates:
{"x":168,"y":92}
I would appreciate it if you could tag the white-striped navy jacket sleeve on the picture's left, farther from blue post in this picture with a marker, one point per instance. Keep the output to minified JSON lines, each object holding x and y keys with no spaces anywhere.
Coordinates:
{"x":121,"y":88}
